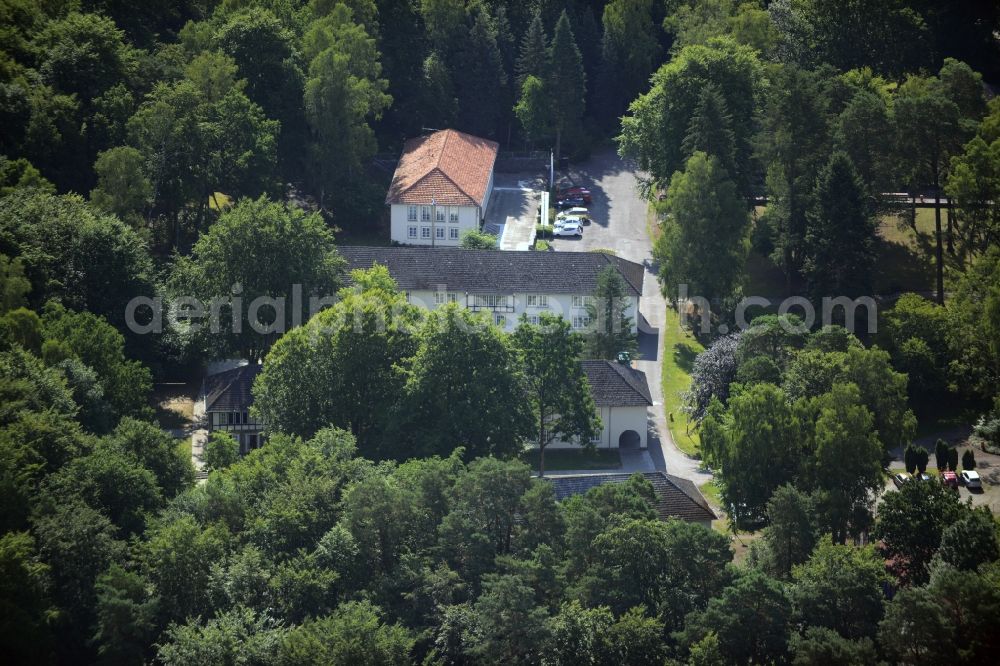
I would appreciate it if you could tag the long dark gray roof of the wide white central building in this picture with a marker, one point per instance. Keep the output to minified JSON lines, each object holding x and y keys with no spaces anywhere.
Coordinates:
{"x":493,"y":271}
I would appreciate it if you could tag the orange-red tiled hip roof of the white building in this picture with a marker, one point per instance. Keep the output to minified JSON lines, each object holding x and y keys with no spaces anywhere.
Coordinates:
{"x":449,"y":167}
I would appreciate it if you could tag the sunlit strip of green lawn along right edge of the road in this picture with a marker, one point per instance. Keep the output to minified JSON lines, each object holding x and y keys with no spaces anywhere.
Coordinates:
{"x":679,"y":351}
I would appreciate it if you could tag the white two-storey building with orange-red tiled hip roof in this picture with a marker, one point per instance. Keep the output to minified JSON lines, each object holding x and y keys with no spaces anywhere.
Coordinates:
{"x":441,"y":188}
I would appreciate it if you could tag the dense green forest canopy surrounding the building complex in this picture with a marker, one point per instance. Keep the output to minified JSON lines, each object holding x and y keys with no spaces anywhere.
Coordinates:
{"x":222,"y":147}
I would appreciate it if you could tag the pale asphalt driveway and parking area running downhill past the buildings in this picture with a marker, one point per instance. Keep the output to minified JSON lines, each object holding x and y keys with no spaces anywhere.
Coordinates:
{"x":619,"y":224}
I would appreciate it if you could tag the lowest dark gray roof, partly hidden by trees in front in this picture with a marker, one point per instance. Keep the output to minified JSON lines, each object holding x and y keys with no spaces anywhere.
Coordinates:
{"x":675,"y":497}
